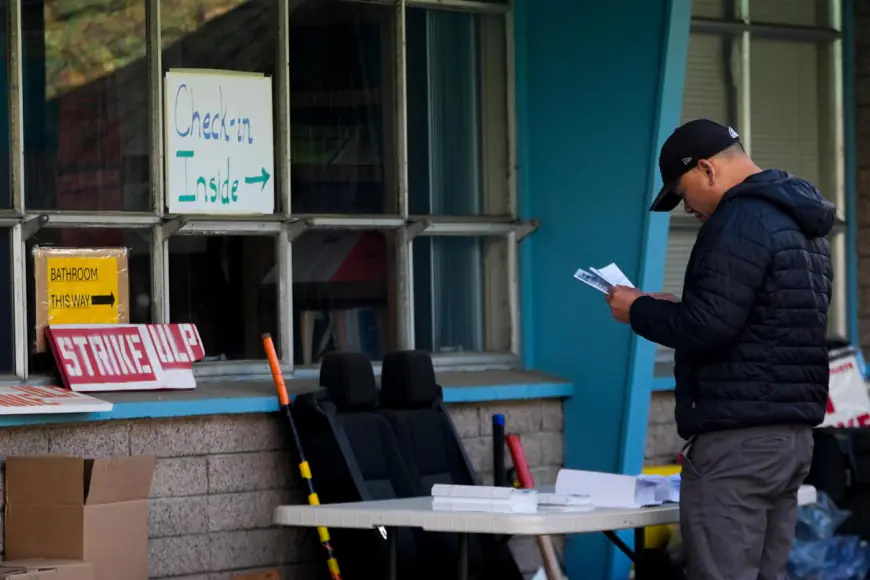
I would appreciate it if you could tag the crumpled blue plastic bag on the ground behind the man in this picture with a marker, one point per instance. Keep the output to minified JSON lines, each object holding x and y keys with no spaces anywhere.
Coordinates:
{"x":817,"y":554}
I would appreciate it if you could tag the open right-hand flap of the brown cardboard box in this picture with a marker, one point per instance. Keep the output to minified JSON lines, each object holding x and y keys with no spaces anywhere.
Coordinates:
{"x":120,"y":479}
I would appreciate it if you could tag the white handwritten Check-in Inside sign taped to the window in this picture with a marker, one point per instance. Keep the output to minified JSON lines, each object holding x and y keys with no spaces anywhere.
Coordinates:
{"x":218,"y":143}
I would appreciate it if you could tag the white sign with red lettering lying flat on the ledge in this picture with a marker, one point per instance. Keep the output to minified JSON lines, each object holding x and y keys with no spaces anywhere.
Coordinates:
{"x":29,"y":400}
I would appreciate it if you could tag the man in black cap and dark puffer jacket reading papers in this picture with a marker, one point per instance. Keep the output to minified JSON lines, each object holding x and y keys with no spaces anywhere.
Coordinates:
{"x":749,"y":335}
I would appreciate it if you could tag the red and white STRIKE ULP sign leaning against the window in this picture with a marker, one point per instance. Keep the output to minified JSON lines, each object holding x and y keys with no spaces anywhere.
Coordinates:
{"x":126,"y":357}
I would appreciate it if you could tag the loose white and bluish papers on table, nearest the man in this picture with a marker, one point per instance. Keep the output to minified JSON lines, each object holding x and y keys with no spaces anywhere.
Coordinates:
{"x":609,"y":490}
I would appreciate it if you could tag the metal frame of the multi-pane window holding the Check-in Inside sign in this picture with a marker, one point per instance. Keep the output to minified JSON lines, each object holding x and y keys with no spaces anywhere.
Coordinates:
{"x":283,"y":225}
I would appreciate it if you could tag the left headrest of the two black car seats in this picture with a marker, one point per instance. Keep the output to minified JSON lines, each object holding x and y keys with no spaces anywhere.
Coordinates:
{"x":350,"y":380}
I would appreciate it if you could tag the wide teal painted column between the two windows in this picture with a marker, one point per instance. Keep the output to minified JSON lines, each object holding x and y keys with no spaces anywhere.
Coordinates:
{"x":598,"y":86}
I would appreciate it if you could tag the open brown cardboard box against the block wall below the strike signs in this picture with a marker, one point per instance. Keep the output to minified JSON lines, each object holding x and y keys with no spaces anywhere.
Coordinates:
{"x":94,"y":510}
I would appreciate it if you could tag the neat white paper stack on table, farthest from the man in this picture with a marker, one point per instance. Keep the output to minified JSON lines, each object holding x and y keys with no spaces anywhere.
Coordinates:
{"x":484,"y":498}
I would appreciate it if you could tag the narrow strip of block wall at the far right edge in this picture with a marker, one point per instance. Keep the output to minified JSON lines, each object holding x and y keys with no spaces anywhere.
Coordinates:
{"x":862,"y":157}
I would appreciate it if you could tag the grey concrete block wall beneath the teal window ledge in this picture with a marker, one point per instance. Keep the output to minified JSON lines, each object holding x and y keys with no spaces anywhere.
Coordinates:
{"x":218,"y":479}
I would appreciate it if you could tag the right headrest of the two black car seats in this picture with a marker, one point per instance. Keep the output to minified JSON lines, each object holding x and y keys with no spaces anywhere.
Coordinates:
{"x":408,"y":380}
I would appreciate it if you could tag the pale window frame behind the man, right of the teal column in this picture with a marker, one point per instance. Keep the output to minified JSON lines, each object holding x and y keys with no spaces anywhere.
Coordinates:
{"x":828,"y":34}
